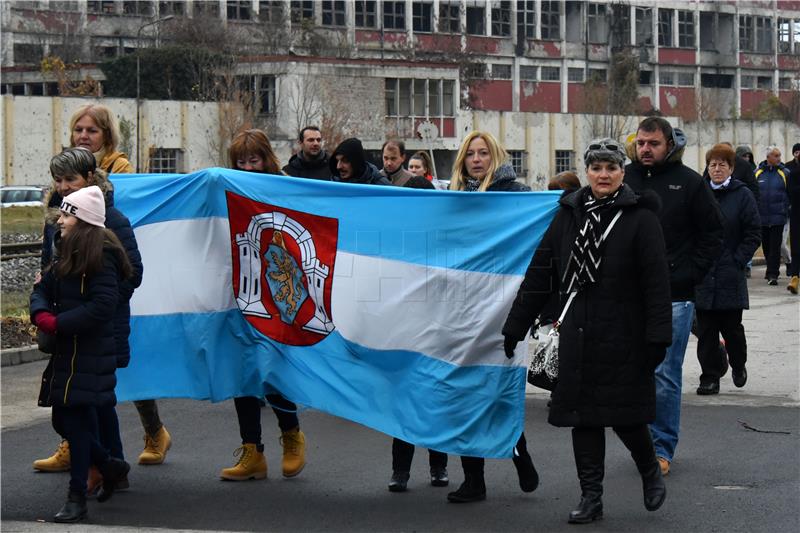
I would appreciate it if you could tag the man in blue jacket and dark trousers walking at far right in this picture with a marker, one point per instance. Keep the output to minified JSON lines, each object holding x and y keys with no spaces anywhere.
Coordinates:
{"x":773,"y":208}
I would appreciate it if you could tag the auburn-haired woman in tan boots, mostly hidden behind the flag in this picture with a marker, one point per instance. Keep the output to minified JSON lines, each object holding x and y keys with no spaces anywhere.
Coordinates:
{"x":251,"y":151}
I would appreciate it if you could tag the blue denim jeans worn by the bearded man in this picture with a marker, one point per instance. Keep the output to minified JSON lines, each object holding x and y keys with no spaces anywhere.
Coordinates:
{"x":669,"y":376}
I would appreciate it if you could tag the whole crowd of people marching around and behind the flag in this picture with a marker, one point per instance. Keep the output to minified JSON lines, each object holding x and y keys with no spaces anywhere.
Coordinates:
{"x":634,"y":261}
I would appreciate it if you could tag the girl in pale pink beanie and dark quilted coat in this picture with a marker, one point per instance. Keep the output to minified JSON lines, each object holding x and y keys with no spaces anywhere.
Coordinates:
{"x":72,"y":303}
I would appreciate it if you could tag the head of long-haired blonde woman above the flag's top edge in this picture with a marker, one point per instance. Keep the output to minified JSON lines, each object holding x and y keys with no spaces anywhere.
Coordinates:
{"x":481,"y":166}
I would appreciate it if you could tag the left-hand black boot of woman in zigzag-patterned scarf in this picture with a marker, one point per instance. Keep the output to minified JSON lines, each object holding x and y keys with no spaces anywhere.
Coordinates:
{"x":588,"y":445}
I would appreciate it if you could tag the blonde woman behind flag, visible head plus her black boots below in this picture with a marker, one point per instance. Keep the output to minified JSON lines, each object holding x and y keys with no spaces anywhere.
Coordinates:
{"x":481,"y":166}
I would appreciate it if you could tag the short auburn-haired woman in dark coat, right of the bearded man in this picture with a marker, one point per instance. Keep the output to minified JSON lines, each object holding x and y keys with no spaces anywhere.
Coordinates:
{"x":722,"y":295}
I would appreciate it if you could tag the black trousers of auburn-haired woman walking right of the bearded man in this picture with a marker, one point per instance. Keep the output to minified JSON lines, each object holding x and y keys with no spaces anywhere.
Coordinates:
{"x":712,"y":324}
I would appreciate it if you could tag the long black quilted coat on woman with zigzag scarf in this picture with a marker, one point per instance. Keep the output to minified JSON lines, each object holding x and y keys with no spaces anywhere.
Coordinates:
{"x":606,"y":368}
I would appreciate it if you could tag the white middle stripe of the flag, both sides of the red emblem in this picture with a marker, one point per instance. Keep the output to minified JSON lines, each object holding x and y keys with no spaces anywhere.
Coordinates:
{"x":452,"y":315}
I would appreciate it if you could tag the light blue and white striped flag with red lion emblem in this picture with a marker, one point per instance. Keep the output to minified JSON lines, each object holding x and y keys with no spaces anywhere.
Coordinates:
{"x":382,"y":305}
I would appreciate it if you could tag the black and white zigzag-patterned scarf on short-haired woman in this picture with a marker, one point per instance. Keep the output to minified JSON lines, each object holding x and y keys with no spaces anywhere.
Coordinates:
{"x":587,"y":250}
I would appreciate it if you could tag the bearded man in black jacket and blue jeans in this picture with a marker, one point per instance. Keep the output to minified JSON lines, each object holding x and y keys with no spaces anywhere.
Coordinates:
{"x":692,"y":225}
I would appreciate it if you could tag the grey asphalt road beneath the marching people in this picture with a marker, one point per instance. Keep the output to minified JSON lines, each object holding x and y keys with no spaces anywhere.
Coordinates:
{"x":725,"y":477}
